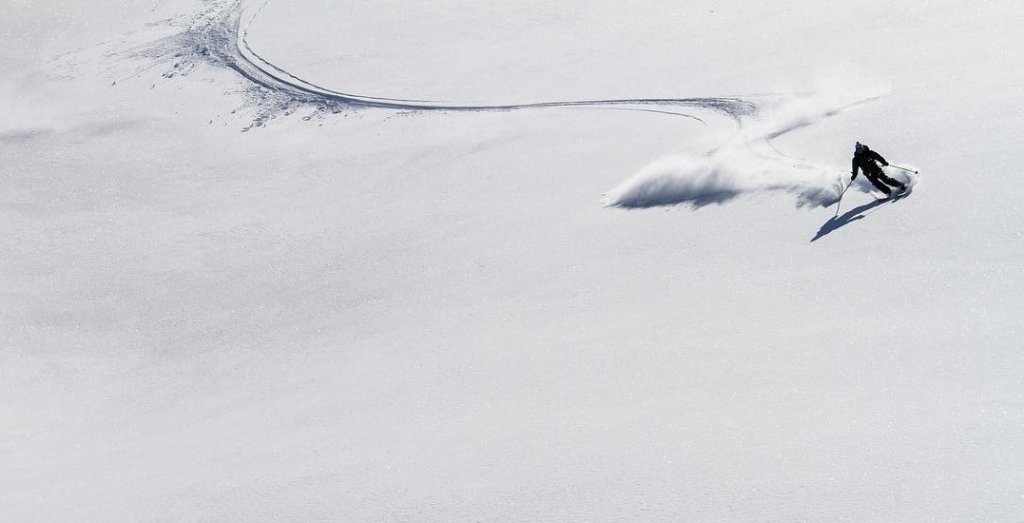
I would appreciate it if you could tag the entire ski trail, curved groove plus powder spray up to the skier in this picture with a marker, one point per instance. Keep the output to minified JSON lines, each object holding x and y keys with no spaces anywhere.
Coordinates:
{"x":219,"y":37}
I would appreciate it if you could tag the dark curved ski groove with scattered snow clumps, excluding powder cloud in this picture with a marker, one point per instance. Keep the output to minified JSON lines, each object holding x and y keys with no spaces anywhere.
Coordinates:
{"x":219,"y":37}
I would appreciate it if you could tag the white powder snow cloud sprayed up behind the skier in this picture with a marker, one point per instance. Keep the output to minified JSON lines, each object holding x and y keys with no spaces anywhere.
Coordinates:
{"x":747,"y":163}
